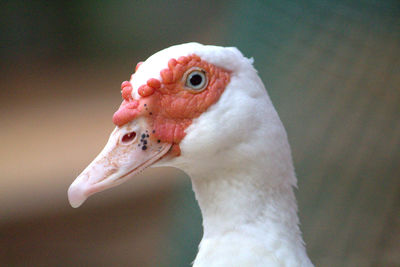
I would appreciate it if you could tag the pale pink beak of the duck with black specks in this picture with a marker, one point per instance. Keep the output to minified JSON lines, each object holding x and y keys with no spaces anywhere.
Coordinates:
{"x":130,"y":149}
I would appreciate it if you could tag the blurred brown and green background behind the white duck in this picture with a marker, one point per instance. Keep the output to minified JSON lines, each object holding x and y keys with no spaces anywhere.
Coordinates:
{"x":332,"y":69}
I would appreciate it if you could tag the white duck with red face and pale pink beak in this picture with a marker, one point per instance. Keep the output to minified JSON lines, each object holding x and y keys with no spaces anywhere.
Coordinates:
{"x":203,"y":109}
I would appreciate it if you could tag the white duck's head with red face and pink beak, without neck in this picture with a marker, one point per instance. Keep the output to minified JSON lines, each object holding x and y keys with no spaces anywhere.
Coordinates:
{"x":186,"y":106}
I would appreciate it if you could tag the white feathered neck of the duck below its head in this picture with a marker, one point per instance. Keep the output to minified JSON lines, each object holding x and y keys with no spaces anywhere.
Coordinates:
{"x":246,"y":219}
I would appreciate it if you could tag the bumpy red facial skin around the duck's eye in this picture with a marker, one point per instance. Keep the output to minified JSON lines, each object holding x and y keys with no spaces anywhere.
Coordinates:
{"x":168,"y":105}
